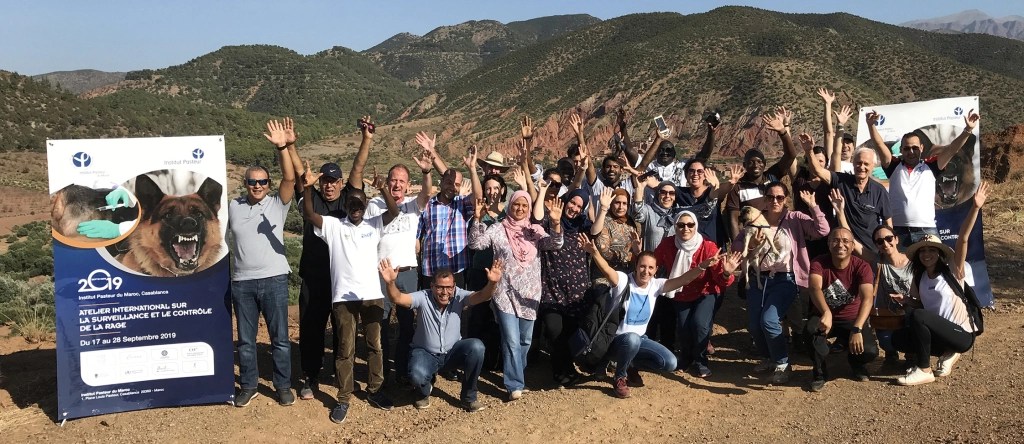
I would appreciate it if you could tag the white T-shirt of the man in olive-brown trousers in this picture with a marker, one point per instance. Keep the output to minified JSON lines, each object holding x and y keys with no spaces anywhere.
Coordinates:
{"x":354,"y":258}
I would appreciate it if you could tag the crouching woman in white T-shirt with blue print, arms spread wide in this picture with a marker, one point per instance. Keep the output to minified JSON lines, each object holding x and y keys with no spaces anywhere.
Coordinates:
{"x":630,"y":349}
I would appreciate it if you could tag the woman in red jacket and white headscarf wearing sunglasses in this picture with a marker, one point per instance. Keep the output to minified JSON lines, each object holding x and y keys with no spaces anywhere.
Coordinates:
{"x":695,"y":303}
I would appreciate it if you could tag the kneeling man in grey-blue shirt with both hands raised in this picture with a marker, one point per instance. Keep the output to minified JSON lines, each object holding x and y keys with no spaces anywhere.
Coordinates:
{"x":438,"y":345}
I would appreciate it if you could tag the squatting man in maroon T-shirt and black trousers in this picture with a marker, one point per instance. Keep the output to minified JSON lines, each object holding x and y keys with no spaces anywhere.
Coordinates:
{"x":841,"y":288}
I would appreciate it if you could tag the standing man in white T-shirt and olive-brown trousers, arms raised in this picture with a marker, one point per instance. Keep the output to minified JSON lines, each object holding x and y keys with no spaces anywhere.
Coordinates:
{"x":353,"y":245}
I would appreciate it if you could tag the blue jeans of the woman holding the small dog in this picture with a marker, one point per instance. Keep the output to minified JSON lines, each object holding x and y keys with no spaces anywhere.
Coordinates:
{"x":766,"y":307}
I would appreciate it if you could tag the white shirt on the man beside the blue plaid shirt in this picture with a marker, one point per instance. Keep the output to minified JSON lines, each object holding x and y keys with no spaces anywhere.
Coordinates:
{"x":399,"y":238}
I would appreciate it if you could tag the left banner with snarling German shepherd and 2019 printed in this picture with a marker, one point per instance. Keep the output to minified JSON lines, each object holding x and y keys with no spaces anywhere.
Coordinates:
{"x":141,"y":274}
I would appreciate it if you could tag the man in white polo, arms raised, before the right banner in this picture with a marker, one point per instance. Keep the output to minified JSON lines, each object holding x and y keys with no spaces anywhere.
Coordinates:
{"x":912,"y":189}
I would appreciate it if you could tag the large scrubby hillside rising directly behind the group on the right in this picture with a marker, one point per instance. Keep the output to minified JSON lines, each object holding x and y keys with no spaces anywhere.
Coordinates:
{"x":743,"y":61}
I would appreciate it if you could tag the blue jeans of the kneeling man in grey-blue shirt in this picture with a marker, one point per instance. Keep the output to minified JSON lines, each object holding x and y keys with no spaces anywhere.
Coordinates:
{"x":466,"y":354}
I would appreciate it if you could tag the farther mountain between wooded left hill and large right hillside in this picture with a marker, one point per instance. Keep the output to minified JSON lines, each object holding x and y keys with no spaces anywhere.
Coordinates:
{"x":448,"y":53}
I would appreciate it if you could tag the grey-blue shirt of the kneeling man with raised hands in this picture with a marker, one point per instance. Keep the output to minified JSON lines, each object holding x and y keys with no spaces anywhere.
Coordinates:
{"x":437,"y":332}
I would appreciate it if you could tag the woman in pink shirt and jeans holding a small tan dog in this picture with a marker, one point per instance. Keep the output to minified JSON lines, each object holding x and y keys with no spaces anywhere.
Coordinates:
{"x":773,"y":291}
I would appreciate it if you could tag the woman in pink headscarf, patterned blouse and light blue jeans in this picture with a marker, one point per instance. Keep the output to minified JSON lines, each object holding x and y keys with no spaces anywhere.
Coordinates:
{"x":518,"y":296}
